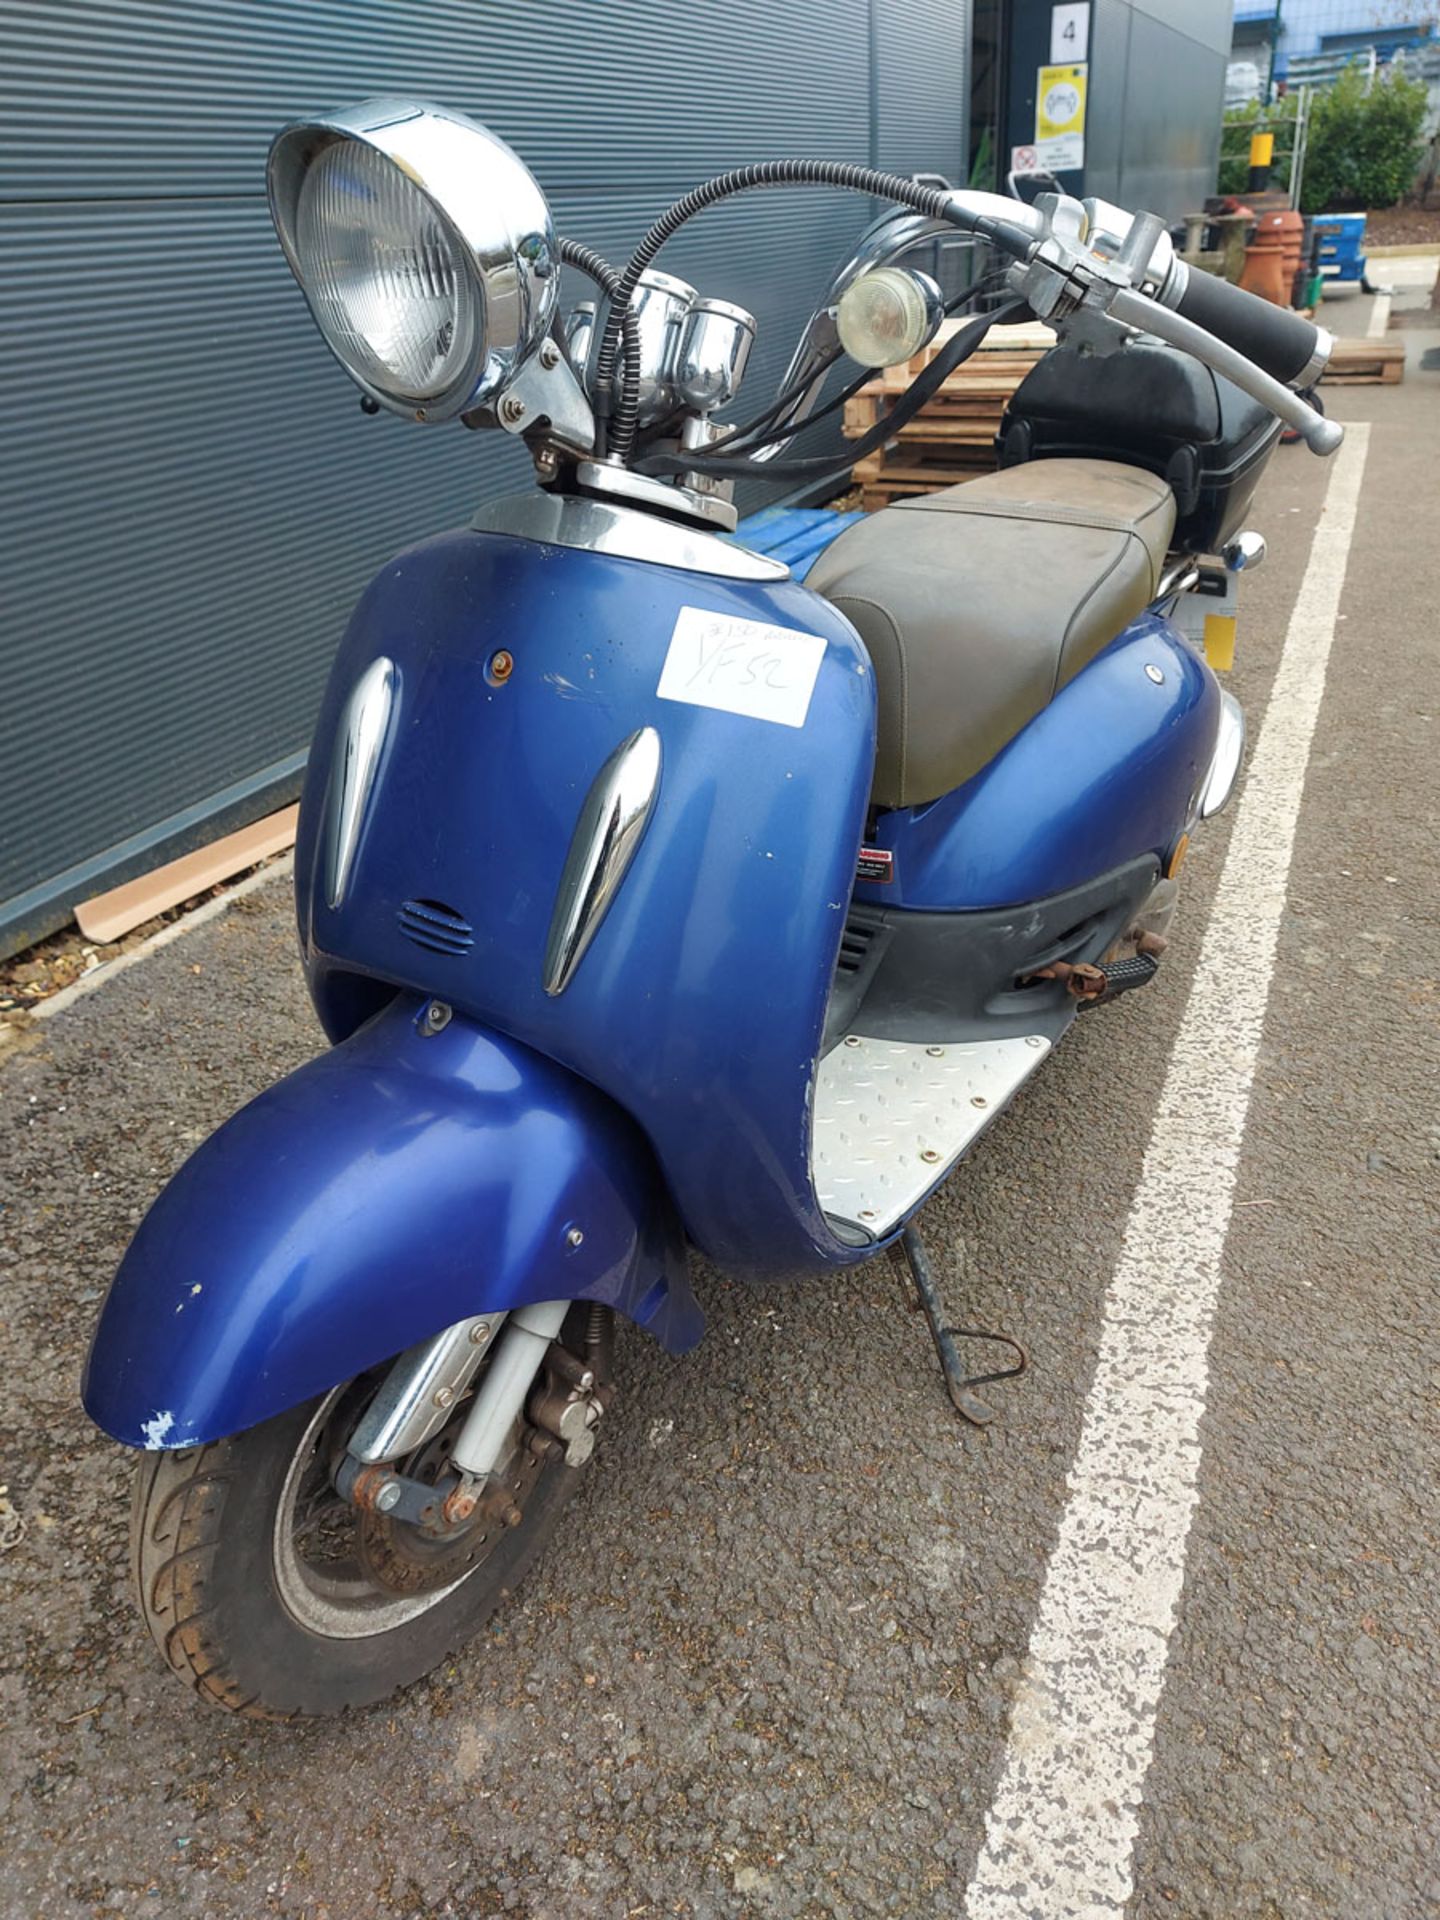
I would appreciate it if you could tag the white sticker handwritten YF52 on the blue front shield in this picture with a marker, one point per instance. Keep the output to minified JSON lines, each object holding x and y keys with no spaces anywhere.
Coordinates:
{"x":742,"y":667}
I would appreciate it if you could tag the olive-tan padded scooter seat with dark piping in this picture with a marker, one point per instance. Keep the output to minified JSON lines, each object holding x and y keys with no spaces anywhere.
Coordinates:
{"x":978,"y":604}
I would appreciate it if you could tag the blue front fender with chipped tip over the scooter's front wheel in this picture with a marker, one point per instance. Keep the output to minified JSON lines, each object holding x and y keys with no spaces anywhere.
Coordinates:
{"x":387,"y":1189}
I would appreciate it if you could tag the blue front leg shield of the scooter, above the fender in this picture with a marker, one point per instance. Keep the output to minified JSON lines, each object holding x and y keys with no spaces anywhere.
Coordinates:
{"x":702,"y":1001}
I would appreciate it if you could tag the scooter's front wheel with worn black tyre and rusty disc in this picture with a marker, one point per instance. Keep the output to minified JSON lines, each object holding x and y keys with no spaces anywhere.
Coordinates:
{"x":272,"y":1596}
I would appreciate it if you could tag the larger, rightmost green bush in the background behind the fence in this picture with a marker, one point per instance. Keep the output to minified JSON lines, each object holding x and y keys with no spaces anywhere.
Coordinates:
{"x":1364,"y":145}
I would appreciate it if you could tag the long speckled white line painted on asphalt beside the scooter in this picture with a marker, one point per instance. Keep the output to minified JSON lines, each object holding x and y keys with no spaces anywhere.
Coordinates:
{"x":1061,"y":1833}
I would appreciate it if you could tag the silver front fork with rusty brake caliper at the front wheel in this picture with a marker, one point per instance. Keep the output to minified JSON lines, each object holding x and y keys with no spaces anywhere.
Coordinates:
{"x":425,"y":1383}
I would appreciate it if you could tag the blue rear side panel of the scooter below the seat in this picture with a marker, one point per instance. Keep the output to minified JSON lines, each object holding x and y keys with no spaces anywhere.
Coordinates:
{"x":1107,"y":773}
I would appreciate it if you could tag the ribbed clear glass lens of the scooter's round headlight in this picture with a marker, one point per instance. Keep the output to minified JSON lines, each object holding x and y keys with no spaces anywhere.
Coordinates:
{"x":385,"y":276}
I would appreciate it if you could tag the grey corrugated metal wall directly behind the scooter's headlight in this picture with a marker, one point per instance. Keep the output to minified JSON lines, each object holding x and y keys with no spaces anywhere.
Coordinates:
{"x":191,"y":498}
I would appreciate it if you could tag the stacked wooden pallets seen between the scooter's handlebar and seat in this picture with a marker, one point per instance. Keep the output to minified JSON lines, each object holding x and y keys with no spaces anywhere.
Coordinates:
{"x":953,"y":437}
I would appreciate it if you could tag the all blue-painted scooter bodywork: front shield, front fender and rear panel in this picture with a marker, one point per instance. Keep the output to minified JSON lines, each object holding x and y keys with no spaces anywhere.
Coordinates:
{"x":406,"y":1180}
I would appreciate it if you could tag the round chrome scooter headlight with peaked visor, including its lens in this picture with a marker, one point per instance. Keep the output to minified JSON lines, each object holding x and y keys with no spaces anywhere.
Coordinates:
{"x":423,"y":247}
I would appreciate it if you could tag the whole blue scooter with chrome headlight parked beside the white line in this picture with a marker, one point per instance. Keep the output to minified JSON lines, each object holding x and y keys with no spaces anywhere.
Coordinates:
{"x":648,"y":896}
